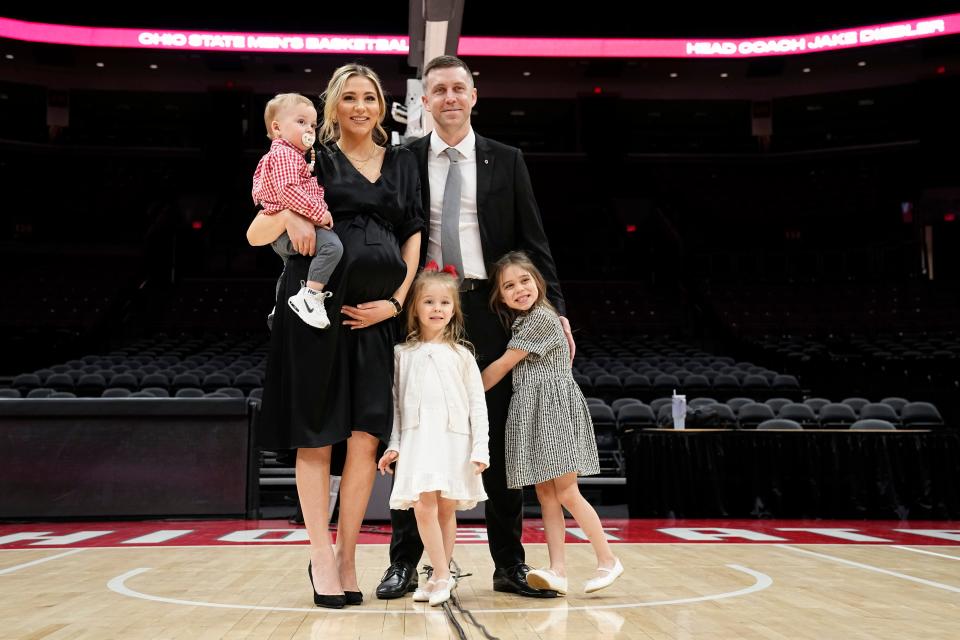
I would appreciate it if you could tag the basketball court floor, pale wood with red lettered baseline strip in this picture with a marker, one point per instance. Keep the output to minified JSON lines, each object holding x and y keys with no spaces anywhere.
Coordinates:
{"x":687,"y":579}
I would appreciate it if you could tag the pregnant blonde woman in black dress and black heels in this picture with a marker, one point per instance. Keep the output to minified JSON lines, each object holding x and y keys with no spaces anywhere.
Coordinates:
{"x":328,"y":391}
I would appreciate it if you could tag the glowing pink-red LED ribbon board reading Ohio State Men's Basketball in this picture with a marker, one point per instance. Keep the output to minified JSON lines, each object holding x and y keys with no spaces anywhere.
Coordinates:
{"x":853,"y":37}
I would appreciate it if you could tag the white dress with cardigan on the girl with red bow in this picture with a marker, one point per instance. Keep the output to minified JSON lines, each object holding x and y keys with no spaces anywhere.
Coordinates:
{"x":440,"y":424}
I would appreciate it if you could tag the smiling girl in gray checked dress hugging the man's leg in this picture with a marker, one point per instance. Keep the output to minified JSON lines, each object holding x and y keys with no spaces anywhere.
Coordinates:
{"x":549,"y":435}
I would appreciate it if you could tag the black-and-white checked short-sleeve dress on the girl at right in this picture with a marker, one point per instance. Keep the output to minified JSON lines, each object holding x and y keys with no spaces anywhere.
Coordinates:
{"x":549,"y":431}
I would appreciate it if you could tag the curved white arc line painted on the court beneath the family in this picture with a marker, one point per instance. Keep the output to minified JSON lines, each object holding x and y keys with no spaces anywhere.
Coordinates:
{"x":761,"y":582}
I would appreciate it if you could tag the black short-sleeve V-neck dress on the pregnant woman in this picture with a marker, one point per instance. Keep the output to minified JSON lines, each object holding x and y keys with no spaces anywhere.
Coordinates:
{"x":321,"y":384}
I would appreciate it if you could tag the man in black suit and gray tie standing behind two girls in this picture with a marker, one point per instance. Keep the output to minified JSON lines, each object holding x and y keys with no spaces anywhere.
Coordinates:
{"x":495,"y":213}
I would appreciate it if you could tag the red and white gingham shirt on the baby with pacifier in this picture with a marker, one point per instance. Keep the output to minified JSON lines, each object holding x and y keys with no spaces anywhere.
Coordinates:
{"x":283,"y":181}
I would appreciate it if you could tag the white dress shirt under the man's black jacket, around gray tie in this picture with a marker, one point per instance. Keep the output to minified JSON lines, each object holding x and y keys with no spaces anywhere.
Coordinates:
{"x":471,"y":251}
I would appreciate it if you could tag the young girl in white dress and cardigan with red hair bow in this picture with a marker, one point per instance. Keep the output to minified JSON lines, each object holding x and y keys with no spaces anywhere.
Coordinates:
{"x":440,"y":431}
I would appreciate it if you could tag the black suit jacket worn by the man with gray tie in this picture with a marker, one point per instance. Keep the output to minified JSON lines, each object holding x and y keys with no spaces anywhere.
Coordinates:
{"x":507,"y":211}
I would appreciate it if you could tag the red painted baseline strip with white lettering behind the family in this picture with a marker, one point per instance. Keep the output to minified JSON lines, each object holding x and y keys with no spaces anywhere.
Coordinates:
{"x":178,"y":533}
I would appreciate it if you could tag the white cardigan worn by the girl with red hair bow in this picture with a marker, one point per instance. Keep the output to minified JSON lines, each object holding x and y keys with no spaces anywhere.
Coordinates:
{"x":463,"y":392}
